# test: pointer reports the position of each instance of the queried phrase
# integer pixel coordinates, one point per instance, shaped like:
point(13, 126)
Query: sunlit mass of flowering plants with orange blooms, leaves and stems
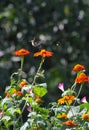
point(23, 97)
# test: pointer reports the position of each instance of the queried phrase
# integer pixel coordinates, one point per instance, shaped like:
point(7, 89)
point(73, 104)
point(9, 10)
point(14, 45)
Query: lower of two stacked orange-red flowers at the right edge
point(82, 78)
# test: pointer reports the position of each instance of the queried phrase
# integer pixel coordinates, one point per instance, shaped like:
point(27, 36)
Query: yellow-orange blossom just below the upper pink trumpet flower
point(67, 98)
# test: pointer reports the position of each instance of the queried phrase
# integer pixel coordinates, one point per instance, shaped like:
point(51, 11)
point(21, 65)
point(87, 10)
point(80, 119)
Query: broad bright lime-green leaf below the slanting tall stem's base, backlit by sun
point(40, 91)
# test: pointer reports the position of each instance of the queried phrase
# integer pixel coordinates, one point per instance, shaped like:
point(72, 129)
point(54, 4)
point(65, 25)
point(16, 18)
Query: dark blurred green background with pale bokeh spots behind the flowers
point(63, 27)
